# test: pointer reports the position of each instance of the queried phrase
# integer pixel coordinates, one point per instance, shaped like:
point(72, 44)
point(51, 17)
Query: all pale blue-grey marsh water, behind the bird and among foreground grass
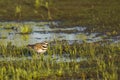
point(47, 31)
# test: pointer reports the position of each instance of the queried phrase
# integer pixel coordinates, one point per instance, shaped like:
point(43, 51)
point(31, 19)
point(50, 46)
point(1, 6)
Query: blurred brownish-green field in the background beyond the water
point(98, 16)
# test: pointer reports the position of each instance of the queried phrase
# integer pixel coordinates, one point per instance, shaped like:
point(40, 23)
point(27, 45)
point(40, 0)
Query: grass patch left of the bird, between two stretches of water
point(10, 50)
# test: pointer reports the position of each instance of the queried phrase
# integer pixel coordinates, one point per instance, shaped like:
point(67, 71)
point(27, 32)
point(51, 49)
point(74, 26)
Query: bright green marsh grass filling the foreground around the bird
point(102, 62)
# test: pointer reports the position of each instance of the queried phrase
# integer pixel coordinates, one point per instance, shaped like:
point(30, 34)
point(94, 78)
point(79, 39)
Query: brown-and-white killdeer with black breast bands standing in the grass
point(39, 47)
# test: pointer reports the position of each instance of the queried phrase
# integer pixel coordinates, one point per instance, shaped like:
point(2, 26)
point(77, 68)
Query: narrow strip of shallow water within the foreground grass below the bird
point(52, 58)
